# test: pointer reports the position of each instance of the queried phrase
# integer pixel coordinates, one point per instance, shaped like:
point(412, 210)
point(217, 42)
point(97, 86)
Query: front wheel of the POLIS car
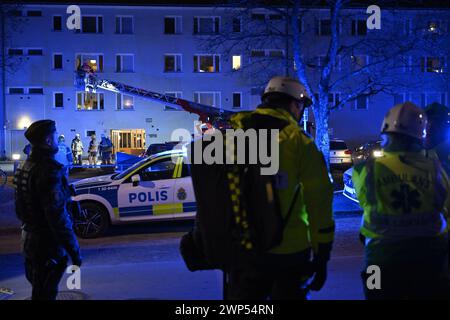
point(94, 221)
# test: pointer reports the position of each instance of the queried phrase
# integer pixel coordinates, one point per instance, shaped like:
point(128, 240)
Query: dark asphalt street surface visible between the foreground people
point(142, 261)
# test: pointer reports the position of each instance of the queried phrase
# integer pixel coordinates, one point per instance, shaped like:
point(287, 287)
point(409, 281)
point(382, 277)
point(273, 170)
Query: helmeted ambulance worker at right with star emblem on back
point(405, 197)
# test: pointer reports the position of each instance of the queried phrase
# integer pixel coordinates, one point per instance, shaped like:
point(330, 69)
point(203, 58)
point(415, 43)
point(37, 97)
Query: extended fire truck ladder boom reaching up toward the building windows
point(88, 81)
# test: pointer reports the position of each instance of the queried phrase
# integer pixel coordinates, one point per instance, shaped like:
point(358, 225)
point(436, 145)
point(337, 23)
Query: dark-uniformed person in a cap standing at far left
point(42, 199)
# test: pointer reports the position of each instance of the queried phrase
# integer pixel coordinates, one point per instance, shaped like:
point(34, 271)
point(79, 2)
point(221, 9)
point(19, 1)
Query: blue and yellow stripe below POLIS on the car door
point(158, 209)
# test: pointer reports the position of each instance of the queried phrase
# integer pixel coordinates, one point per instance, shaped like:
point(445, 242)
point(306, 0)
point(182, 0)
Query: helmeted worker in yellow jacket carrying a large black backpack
point(285, 270)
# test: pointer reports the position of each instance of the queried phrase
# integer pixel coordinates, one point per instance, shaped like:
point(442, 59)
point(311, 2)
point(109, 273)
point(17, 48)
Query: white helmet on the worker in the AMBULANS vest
point(407, 119)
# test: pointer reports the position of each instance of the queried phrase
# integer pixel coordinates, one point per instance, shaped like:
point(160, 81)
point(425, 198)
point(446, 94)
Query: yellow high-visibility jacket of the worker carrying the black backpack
point(311, 222)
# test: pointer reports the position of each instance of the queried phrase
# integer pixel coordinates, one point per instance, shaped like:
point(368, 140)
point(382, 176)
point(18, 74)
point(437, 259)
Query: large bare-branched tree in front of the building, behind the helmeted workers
point(368, 62)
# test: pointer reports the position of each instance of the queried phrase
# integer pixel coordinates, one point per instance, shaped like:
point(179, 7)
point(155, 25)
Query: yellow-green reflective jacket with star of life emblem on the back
point(404, 195)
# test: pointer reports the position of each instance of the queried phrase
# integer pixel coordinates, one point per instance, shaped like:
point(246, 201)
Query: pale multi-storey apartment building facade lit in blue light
point(155, 48)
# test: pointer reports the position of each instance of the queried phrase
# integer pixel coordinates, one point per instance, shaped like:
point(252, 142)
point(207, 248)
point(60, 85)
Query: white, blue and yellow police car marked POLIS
point(156, 188)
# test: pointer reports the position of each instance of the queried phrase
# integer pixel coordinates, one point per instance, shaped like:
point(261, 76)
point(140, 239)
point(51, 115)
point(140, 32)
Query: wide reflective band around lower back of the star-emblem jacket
point(406, 225)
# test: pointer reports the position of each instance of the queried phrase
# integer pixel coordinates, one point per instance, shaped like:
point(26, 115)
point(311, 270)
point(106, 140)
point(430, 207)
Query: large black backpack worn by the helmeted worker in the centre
point(238, 214)
